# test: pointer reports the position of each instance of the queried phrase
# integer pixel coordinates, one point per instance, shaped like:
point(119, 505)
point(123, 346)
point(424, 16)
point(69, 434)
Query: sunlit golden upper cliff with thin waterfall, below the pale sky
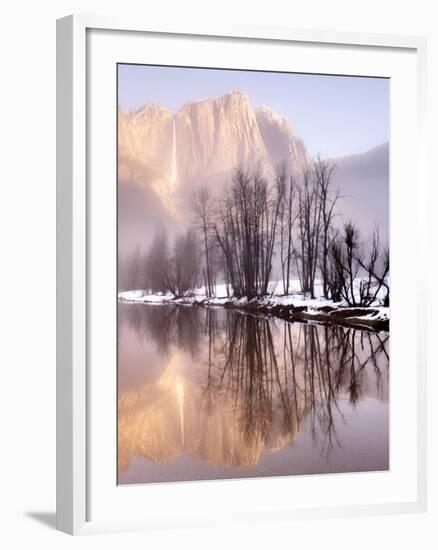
point(202, 144)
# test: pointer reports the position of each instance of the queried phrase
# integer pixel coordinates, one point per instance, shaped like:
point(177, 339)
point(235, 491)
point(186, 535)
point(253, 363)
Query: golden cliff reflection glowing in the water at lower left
point(166, 419)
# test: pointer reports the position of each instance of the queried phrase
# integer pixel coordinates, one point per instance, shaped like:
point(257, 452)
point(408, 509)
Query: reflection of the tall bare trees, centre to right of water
point(278, 375)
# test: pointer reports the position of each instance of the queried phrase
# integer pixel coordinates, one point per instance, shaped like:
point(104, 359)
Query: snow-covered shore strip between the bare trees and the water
point(294, 307)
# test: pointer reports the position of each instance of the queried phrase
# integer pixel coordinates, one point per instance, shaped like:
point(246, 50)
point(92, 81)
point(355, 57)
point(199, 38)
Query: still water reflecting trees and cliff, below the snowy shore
point(209, 393)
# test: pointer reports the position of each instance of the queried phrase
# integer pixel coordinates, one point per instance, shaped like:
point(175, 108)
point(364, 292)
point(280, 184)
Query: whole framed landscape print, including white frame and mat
point(238, 332)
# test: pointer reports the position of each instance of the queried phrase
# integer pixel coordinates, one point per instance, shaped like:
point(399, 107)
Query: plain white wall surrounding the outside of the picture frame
point(27, 269)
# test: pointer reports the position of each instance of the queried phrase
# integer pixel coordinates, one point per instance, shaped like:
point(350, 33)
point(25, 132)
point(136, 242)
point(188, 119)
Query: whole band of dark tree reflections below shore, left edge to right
point(267, 377)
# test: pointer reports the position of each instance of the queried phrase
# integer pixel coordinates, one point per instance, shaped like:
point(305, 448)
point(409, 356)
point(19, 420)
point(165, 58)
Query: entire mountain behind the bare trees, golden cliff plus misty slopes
point(164, 156)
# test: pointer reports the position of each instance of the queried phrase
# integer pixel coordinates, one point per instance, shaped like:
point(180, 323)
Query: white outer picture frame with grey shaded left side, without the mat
point(74, 220)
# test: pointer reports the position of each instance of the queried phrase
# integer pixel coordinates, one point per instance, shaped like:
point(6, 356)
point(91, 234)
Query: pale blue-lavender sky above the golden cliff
point(333, 115)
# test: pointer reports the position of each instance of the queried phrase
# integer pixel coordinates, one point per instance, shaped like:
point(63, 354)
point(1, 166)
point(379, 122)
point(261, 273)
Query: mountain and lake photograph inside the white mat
point(253, 277)
